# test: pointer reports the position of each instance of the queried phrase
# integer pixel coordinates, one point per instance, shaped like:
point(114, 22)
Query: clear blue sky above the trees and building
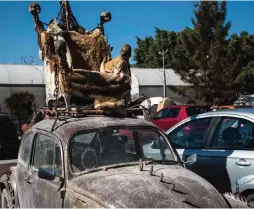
point(129, 20)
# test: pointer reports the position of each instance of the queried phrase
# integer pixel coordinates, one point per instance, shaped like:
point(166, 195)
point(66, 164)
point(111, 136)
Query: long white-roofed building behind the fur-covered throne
point(31, 78)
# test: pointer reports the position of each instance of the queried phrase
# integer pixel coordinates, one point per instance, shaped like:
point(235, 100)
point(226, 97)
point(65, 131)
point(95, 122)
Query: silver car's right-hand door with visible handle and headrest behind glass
point(229, 154)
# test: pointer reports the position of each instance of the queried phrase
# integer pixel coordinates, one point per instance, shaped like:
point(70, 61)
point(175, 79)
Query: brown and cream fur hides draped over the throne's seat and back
point(89, 71)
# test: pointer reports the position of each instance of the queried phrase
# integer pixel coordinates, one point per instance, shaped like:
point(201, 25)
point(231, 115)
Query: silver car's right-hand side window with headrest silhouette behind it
point(233, 133)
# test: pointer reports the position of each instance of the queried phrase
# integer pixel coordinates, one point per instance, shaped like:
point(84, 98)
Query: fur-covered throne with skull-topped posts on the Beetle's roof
point(78, 62)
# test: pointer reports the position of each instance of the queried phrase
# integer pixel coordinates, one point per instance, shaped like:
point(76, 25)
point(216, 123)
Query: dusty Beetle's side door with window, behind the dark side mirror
point(47, 153)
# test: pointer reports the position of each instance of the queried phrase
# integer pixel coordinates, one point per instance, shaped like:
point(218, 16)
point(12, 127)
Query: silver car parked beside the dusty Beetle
point(224, 148)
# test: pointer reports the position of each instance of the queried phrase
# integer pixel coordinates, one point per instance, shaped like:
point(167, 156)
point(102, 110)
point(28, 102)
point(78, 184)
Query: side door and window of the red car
point(166, 118)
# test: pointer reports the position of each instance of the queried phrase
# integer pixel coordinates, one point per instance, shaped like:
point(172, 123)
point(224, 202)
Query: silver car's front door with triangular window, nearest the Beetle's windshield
point(189, 138)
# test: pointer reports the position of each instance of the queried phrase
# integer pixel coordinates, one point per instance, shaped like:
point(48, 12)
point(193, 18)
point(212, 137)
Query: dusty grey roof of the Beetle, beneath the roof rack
point(70, 126)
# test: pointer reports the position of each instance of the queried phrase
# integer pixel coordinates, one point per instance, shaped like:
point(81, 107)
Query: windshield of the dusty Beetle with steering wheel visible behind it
point(113, 146)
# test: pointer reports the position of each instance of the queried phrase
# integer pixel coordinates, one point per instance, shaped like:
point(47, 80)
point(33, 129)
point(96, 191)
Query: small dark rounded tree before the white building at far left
point(20, 105)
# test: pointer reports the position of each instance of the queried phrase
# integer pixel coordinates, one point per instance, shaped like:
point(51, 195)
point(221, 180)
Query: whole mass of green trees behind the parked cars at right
point(219, 67)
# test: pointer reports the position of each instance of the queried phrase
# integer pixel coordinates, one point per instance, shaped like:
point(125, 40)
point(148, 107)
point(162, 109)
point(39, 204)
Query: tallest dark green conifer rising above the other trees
point(200, 57)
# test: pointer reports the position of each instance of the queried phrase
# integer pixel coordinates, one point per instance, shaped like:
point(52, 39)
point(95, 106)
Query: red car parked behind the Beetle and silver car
point(171, 115)
